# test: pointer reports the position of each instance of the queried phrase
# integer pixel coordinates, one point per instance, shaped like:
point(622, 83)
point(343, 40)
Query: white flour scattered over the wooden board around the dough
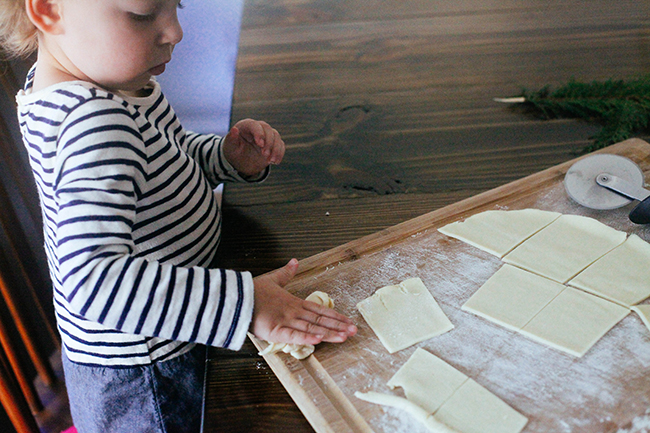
point(601, 392)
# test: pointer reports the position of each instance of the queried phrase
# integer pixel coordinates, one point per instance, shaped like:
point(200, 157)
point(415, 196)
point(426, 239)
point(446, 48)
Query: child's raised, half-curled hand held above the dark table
point(251, 146)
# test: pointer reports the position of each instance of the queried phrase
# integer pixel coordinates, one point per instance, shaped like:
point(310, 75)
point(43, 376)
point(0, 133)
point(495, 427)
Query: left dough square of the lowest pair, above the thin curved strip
point(427, 380)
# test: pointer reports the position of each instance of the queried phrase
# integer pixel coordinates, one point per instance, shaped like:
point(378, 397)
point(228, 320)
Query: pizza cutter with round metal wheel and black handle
point(606, 181)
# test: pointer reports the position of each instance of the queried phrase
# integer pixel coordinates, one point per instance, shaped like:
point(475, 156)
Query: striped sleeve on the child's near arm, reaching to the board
point(100, 170)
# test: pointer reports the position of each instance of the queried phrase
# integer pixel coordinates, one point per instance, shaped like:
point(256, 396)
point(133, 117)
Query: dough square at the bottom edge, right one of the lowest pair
point(474, 409)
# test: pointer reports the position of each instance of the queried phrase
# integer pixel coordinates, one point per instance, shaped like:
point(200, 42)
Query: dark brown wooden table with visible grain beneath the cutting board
point(387, 111)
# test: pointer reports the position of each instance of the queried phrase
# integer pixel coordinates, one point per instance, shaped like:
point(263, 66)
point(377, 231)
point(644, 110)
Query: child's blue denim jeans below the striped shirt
point(164, 397)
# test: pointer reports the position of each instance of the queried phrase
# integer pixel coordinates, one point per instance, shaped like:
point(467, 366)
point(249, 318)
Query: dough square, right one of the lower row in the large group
point(574, 321)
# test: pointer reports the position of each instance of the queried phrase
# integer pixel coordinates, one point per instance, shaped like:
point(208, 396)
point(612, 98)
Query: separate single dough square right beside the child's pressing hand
point(404, 314)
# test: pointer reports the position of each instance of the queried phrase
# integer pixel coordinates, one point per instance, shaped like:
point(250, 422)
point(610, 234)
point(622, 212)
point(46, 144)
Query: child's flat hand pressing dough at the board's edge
point(280, 317)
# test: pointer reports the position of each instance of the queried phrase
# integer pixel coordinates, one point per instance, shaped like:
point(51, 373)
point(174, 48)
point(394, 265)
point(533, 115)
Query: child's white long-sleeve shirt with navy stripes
point(130, 221)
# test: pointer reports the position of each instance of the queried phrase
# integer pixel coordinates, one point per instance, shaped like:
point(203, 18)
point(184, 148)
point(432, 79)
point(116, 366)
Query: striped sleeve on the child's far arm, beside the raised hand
point(207, 150)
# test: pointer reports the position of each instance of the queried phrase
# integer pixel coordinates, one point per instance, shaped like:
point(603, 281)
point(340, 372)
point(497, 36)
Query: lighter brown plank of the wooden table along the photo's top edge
point(434, 45)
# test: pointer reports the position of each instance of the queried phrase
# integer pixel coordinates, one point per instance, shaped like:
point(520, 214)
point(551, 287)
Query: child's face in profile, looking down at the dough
point(118, 44)
